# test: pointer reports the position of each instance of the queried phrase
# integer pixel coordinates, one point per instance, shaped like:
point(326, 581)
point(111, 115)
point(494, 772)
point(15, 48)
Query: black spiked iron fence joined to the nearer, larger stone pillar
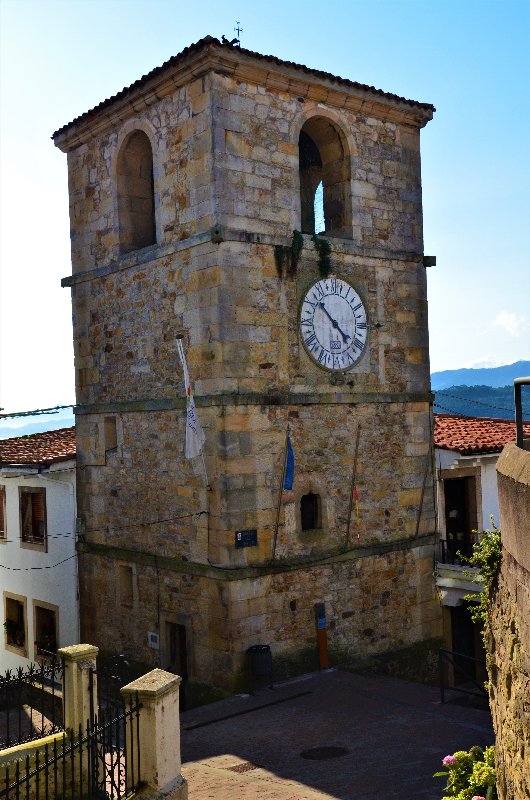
point(101, 762)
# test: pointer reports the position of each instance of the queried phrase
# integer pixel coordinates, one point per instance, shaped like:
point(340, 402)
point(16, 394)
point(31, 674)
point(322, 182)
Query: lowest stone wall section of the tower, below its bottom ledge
point(375, 602)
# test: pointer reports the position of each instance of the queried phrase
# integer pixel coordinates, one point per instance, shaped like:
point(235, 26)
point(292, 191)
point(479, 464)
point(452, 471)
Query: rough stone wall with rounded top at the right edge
point(508, 642)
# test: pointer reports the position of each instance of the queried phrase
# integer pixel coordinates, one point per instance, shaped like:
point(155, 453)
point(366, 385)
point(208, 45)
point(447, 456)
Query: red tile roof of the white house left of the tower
point(39, 449)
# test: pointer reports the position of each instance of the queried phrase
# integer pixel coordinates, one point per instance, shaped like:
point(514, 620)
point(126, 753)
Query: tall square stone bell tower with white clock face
point(195, 197)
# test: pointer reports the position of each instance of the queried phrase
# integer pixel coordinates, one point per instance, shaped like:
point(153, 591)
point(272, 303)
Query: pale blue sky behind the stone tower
point(470, 59)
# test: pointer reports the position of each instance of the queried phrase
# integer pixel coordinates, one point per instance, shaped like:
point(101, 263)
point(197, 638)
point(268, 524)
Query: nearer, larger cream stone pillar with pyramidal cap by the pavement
point(159, 733)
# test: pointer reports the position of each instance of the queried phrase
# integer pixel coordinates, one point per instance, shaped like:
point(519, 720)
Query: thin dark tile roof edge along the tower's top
point(212, 42)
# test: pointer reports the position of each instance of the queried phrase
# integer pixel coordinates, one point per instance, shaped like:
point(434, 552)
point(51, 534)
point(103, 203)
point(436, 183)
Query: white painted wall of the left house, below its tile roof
point(40, 576)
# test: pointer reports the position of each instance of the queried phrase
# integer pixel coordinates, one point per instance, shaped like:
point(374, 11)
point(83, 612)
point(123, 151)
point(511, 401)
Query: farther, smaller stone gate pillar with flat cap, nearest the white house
point(79, 659)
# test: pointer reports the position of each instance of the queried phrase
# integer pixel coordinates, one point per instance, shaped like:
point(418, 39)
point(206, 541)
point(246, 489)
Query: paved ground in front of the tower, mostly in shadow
point(395, 734)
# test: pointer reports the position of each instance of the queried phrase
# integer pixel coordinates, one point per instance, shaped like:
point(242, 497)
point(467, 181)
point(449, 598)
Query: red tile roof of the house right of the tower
point(474, 435)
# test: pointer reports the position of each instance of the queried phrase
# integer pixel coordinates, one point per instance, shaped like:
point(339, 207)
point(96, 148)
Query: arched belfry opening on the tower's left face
point(136, 202)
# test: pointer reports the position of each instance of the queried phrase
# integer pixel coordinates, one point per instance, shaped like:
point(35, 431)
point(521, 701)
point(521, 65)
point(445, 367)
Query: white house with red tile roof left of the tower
point(38, 563)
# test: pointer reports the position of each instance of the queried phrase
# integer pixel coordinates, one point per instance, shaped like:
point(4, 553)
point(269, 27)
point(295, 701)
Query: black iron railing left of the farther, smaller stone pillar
point(31, 702)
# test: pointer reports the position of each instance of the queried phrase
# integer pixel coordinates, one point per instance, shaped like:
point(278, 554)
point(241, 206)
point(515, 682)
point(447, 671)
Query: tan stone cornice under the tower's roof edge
point(309, 85)
